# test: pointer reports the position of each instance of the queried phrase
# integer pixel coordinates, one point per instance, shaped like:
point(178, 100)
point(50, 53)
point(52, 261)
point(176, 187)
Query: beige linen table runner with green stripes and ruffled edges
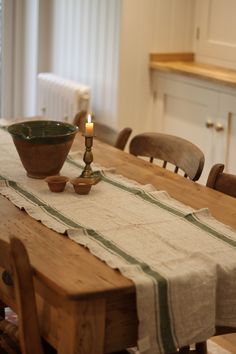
point(182, 261)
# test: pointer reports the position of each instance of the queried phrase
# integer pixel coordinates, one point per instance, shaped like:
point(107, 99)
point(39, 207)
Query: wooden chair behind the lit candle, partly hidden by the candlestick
point(105, 133)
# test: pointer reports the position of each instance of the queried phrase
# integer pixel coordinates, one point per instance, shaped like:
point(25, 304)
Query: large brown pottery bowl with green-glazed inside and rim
point(42, 145)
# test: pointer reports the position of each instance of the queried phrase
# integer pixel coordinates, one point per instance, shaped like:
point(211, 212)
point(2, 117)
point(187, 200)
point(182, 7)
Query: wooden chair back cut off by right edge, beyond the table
point(223, 182)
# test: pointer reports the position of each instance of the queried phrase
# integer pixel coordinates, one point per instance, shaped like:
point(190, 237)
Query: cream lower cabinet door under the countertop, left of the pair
point(191, 112)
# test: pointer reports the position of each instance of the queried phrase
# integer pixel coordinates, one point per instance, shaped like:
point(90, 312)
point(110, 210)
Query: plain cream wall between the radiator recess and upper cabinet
point(148, 26)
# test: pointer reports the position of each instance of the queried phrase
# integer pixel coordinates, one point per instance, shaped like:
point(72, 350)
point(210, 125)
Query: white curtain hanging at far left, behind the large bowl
point(21, 41)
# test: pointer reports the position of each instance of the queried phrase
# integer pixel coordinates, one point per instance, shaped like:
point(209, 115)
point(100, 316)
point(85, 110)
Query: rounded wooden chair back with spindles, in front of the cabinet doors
point(170, 149)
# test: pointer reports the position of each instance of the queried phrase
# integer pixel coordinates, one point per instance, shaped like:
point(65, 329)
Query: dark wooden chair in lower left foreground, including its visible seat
point(17, 273)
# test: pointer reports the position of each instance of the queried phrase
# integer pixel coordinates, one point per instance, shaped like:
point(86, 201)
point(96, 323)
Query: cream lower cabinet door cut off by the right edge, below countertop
point(228, 114)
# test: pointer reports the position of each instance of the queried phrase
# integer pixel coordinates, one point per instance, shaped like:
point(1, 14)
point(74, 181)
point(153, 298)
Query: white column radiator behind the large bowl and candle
point(60, 99)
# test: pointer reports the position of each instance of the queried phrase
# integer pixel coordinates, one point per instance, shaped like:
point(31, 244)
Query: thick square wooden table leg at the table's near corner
point(82, 327)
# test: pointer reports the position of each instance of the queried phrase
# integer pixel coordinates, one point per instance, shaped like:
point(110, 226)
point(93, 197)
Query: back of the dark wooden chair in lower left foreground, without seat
point(17, 272)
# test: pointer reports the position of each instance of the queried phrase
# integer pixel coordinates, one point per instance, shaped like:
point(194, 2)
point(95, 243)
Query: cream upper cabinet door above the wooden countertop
point(217, 32)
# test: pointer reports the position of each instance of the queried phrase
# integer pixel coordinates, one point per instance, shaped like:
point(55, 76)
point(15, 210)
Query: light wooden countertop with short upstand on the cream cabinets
point(184, 64)
